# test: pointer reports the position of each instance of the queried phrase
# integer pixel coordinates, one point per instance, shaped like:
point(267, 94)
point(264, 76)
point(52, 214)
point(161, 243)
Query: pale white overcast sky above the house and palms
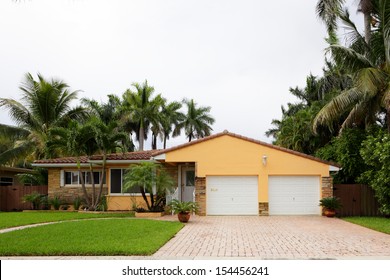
point(238, 56)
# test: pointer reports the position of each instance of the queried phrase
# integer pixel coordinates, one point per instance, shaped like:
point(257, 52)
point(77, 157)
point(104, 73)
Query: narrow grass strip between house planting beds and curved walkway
point(14, 219)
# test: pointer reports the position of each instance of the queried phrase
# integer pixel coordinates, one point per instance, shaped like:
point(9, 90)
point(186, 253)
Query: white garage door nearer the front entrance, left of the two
point(232, 195)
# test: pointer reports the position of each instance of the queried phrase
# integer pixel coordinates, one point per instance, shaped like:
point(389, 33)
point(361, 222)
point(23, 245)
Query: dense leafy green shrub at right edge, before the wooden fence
point(376, 153)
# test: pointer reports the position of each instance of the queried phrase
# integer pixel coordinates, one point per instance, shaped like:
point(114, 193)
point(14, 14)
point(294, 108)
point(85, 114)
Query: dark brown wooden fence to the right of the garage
point(357, 200)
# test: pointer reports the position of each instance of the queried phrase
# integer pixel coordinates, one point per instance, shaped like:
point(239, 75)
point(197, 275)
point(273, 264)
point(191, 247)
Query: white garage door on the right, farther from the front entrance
point(294, 195)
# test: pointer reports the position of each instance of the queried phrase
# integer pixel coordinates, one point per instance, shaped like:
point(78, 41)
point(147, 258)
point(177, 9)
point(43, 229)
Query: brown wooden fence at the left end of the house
point(11, 197)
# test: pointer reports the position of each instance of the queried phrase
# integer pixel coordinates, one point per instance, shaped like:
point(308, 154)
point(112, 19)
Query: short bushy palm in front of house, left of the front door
point(152, 178)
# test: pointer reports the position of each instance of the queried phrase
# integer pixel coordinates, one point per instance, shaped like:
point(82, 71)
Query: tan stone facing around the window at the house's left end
point(68, 194)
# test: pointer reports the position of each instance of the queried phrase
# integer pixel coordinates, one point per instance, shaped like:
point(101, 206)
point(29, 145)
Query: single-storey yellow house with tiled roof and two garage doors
point(226, 174)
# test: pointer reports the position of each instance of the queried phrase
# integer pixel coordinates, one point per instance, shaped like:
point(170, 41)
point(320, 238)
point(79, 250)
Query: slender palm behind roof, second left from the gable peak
point(171, 118)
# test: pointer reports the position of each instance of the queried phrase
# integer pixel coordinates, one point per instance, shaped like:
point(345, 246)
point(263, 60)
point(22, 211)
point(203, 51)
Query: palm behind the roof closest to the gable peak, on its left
point(198, 121)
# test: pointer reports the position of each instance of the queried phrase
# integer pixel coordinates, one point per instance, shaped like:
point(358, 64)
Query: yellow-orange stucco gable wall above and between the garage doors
point(228, 155)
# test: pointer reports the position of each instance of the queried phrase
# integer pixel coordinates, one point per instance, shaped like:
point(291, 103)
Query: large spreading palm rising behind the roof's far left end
point(44, 104)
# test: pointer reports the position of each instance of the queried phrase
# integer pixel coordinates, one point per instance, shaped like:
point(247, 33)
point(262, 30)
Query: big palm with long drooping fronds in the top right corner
point(368, 99)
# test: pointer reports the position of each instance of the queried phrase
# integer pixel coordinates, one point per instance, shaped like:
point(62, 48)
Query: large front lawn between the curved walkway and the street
point(103, 237)
